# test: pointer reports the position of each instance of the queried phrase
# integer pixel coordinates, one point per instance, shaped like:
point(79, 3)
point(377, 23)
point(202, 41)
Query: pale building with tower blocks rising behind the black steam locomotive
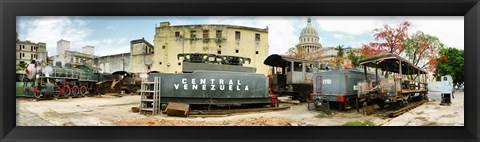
point(64, 55)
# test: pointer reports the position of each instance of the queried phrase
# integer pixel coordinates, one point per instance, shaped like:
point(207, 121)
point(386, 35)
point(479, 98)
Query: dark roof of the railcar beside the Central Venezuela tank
point(276, 60)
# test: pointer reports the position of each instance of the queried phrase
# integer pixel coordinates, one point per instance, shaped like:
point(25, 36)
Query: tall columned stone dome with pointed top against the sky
point(309, 40)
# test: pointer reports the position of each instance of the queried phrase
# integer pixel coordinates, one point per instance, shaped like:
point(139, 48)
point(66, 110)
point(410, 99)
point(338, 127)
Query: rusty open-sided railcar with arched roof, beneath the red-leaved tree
point(406, 82)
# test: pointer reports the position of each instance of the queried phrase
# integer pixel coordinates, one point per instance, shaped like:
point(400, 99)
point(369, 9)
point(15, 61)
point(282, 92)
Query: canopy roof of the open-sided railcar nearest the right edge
point(389, 62)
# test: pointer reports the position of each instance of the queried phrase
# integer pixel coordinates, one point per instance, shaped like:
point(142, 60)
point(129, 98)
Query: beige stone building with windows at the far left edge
point(27, 51)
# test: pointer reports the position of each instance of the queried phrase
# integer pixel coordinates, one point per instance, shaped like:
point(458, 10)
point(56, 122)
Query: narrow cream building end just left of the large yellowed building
point(141, 54)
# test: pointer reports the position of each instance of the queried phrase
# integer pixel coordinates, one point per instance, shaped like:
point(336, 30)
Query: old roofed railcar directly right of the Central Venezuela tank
point(292, 76)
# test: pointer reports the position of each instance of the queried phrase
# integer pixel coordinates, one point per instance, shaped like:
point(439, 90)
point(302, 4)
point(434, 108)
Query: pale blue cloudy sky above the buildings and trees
point(112, 34)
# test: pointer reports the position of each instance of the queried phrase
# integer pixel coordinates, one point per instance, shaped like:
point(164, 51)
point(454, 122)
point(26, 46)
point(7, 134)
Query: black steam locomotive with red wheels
point(55, 81)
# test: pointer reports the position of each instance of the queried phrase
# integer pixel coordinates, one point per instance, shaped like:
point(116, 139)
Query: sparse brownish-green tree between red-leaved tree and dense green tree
point(423, 49)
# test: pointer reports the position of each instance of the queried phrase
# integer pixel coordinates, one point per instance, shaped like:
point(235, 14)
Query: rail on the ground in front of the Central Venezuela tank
point(224, 112)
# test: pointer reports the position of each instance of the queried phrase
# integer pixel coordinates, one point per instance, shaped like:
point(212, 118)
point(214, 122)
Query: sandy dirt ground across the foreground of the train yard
point(116, 111)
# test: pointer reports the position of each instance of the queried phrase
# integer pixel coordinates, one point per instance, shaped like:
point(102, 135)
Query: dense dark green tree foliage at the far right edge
point(453, 65)
